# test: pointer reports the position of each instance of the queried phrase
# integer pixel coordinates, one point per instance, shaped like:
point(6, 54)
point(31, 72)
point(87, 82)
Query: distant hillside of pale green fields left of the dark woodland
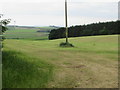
point(28, 32)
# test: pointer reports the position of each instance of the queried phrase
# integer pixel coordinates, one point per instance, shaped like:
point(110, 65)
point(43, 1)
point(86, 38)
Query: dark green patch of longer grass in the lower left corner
point(20, 71)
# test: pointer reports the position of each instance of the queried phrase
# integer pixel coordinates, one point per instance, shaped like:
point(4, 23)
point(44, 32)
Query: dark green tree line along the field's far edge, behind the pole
point(101, 28)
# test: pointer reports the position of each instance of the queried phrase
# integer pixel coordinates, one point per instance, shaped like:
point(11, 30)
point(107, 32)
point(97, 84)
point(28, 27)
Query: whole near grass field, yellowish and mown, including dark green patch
point(92, 63)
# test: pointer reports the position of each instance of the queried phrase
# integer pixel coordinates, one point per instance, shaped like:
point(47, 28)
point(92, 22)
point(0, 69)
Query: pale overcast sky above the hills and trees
point(51, 12)
